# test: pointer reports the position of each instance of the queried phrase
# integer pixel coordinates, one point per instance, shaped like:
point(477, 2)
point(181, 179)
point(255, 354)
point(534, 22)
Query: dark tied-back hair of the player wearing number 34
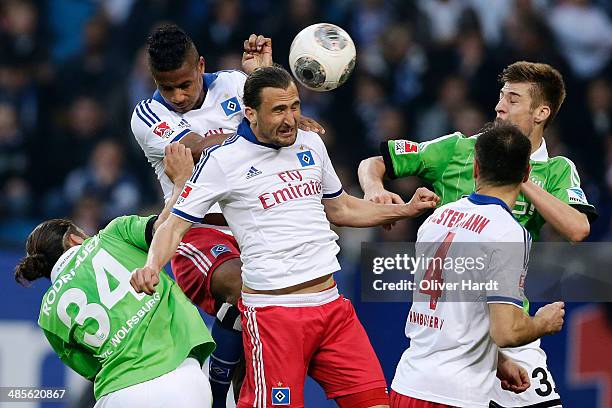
point(44, 247)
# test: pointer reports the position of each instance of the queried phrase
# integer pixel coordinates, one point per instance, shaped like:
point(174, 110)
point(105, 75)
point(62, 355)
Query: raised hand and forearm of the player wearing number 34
point(178, 165)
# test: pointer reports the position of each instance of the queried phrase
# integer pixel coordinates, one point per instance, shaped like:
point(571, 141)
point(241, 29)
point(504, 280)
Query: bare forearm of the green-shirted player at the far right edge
point(567, 221)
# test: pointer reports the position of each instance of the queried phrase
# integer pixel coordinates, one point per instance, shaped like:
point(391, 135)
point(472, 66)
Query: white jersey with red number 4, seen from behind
point(452, 359)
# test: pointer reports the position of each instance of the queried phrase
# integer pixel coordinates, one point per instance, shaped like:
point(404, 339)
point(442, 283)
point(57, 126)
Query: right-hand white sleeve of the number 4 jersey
point(508, 267)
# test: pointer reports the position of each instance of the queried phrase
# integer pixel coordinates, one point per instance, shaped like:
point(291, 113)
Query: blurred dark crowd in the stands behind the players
point(71, 71)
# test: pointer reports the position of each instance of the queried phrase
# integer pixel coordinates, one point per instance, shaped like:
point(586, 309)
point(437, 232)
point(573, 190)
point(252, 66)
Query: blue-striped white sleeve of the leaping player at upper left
point(154, 127)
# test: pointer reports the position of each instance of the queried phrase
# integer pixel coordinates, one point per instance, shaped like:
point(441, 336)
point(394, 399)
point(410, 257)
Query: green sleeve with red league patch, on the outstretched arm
point(426, 160)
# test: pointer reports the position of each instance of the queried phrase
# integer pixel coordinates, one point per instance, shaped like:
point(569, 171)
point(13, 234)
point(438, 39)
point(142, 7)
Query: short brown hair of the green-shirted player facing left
point(547, 84)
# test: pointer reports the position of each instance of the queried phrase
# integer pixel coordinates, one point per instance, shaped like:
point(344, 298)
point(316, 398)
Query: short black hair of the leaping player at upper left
point(168, 47)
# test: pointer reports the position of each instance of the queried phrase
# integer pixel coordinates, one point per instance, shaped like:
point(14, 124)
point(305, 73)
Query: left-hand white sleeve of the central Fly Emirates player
point(207, 185)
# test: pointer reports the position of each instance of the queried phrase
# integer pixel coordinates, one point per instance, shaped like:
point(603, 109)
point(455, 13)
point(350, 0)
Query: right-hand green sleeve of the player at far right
point(564, 183)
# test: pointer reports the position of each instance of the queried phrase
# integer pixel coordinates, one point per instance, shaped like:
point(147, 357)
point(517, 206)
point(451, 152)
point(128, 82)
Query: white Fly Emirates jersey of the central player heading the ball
point(271, 199)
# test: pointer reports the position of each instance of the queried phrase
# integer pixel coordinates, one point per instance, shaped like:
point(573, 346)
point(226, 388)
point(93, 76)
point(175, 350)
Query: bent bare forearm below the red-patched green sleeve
point(371, 172)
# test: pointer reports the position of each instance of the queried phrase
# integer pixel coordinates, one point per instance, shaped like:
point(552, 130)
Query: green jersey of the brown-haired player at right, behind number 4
point(447, 163)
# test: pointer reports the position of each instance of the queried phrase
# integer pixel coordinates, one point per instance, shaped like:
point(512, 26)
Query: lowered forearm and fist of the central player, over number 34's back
point(164, 244)
